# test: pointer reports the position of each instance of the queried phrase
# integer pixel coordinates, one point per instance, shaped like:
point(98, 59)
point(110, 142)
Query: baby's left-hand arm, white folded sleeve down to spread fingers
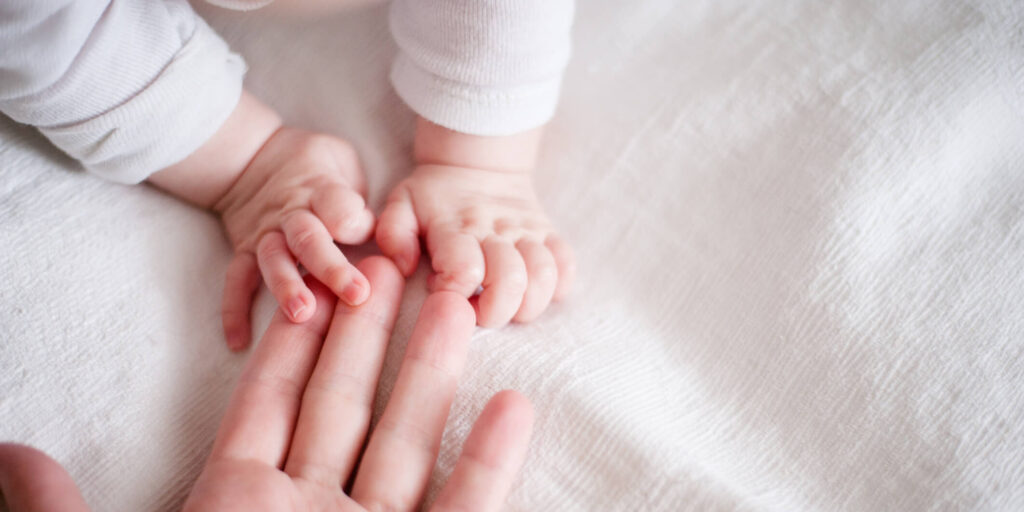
point(166, 104)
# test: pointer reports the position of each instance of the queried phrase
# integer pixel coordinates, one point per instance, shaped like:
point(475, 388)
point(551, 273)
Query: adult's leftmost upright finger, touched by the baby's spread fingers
point(262, 415)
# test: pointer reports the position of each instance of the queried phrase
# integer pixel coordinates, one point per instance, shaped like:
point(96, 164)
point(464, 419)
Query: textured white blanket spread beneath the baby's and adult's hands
point(800, 231)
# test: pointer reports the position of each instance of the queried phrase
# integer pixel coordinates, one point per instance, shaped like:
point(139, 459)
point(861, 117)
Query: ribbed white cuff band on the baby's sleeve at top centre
point(478, 111)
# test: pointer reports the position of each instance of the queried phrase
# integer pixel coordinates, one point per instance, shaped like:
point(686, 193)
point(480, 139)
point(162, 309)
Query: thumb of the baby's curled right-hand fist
point(399, 232)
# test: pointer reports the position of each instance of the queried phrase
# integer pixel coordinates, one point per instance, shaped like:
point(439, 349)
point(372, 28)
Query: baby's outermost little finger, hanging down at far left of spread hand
point(241, 283)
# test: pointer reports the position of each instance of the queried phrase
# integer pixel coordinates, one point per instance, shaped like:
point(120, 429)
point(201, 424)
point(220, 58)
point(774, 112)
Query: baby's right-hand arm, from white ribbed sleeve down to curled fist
point(485, 78)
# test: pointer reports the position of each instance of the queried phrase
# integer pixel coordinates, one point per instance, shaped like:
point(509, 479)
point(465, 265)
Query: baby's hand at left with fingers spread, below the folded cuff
point(303, 193)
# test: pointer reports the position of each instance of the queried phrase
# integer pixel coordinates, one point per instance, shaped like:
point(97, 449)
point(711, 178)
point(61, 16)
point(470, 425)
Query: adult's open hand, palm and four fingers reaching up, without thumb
point(296, 424)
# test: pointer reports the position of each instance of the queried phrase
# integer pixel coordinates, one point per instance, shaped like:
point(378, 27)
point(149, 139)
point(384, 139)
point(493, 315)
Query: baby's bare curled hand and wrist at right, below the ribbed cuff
point(483, 224)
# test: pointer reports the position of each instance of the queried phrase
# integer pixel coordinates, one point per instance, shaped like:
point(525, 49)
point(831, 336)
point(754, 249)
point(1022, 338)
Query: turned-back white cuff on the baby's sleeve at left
point(167, 121)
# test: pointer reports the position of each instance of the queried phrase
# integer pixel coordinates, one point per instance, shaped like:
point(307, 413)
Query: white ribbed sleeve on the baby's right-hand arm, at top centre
point(482, 67)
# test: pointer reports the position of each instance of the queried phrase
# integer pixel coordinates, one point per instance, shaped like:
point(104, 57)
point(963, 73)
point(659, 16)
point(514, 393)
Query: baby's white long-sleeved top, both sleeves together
point(129, 88)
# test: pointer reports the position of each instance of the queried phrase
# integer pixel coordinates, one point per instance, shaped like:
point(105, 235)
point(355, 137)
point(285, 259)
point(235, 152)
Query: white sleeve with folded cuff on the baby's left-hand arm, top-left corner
point(127, 88)
